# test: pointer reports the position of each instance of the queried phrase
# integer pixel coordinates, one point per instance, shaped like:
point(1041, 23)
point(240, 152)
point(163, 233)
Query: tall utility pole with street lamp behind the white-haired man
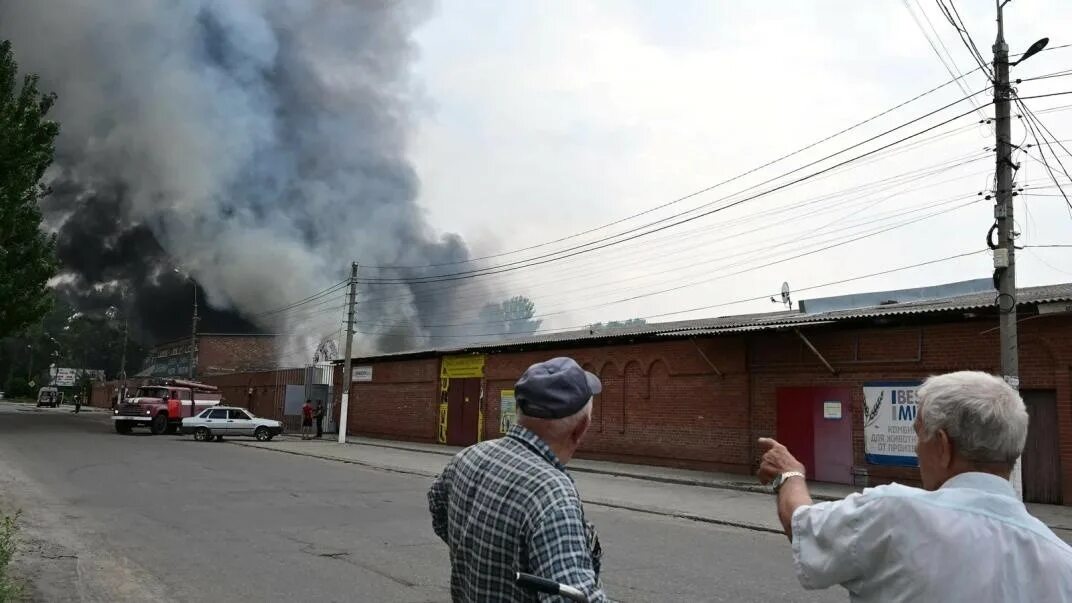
point(1005, 253)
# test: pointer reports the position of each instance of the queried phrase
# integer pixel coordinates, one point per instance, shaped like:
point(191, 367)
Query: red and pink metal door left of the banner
point(816, 425)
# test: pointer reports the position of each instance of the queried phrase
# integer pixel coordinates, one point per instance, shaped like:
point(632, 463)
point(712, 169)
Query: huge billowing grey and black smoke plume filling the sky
point(260, 145)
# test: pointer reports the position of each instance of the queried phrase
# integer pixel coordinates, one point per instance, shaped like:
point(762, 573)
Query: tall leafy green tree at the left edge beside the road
point(27, 146)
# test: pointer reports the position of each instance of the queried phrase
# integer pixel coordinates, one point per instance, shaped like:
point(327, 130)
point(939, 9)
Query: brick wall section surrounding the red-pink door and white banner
point(877, 355)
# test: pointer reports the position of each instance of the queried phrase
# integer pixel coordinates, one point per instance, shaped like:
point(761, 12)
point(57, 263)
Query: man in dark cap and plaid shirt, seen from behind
point(509, 506)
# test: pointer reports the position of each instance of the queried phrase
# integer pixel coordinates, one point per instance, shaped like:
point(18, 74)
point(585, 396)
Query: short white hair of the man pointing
point(982, 415)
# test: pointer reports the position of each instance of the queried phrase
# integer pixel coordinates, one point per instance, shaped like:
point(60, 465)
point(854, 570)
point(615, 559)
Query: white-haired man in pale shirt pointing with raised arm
point(964, 537)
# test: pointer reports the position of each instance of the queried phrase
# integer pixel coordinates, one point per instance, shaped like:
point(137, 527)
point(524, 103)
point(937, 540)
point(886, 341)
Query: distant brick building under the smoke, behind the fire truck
point(216, 354)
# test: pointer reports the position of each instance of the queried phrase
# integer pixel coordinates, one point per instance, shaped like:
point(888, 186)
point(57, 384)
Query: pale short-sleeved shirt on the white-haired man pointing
point(972, 540)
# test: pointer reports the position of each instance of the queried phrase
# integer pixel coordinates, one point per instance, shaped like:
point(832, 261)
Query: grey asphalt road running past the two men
point(143, 518)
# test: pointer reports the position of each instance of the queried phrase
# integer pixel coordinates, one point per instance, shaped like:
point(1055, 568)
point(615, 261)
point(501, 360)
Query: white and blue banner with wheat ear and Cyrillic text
point(889, 414)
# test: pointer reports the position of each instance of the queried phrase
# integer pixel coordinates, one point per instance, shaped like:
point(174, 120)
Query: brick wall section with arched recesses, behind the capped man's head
point(662, 402)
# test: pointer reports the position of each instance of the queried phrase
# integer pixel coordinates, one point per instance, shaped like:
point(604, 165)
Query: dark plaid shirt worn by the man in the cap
point(509, 506)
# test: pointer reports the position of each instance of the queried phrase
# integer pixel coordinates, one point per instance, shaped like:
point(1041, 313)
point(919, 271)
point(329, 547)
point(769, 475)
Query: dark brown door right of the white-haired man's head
point(1041, 464)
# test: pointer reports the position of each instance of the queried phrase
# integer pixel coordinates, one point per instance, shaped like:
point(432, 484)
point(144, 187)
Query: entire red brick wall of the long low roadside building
point(664, 404)
